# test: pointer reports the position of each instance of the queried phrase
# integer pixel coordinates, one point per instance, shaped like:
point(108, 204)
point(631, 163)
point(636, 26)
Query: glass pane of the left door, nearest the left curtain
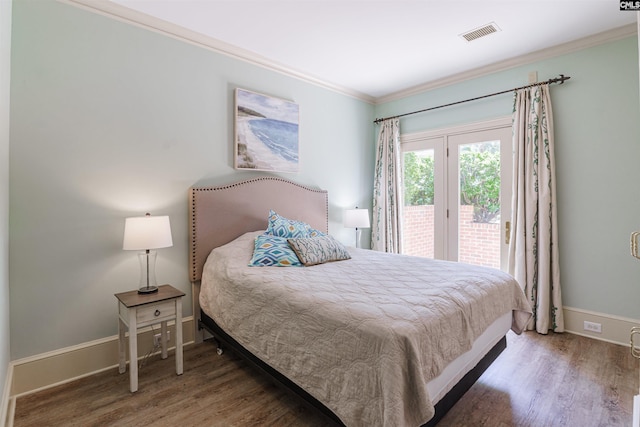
point(418, 216)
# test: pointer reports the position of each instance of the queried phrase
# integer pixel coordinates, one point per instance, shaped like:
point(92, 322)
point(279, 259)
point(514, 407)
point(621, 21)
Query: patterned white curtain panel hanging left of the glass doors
point(387, 190)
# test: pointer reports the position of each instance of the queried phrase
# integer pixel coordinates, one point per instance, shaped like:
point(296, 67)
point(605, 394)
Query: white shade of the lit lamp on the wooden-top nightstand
point(147, 232)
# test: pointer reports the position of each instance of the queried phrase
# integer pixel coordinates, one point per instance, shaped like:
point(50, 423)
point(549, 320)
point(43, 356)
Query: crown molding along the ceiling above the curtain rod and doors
point(561, 49)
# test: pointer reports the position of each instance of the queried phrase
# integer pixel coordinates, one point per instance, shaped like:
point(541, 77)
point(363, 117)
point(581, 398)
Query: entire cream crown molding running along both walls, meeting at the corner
point(130, 16)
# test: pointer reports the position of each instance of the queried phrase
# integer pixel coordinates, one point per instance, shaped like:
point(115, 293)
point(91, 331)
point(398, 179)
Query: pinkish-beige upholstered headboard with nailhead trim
point(217, 215)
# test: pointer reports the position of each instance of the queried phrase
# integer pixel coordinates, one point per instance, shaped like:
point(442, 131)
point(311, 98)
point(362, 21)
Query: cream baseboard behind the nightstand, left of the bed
point(46, 370)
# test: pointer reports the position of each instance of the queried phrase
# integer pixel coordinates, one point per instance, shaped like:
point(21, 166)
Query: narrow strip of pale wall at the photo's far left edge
point(5, 68)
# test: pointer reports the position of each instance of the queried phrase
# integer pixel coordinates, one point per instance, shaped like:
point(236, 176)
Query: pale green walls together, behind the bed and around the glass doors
point(109, 120)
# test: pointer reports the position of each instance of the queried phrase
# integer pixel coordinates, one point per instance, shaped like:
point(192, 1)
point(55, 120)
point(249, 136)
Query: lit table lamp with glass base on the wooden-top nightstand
point(144, 233)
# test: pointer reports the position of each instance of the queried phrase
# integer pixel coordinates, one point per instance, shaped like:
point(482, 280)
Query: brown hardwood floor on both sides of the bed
point(553, 380)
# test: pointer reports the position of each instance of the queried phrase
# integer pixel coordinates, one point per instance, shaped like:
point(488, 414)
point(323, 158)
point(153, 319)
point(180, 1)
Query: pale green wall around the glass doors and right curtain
point(597, 152)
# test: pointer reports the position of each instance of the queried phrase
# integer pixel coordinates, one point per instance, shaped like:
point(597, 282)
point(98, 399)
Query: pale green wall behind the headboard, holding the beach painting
point(110, 120)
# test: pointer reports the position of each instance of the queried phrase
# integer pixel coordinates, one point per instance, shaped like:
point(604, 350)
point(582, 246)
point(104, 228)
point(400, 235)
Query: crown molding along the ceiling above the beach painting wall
point(139, 19)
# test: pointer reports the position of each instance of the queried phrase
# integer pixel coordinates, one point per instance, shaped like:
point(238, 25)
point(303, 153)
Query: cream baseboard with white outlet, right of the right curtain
point(615, 329)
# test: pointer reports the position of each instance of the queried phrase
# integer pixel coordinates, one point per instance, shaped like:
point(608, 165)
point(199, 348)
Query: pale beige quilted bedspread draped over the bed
point(362, 336)
